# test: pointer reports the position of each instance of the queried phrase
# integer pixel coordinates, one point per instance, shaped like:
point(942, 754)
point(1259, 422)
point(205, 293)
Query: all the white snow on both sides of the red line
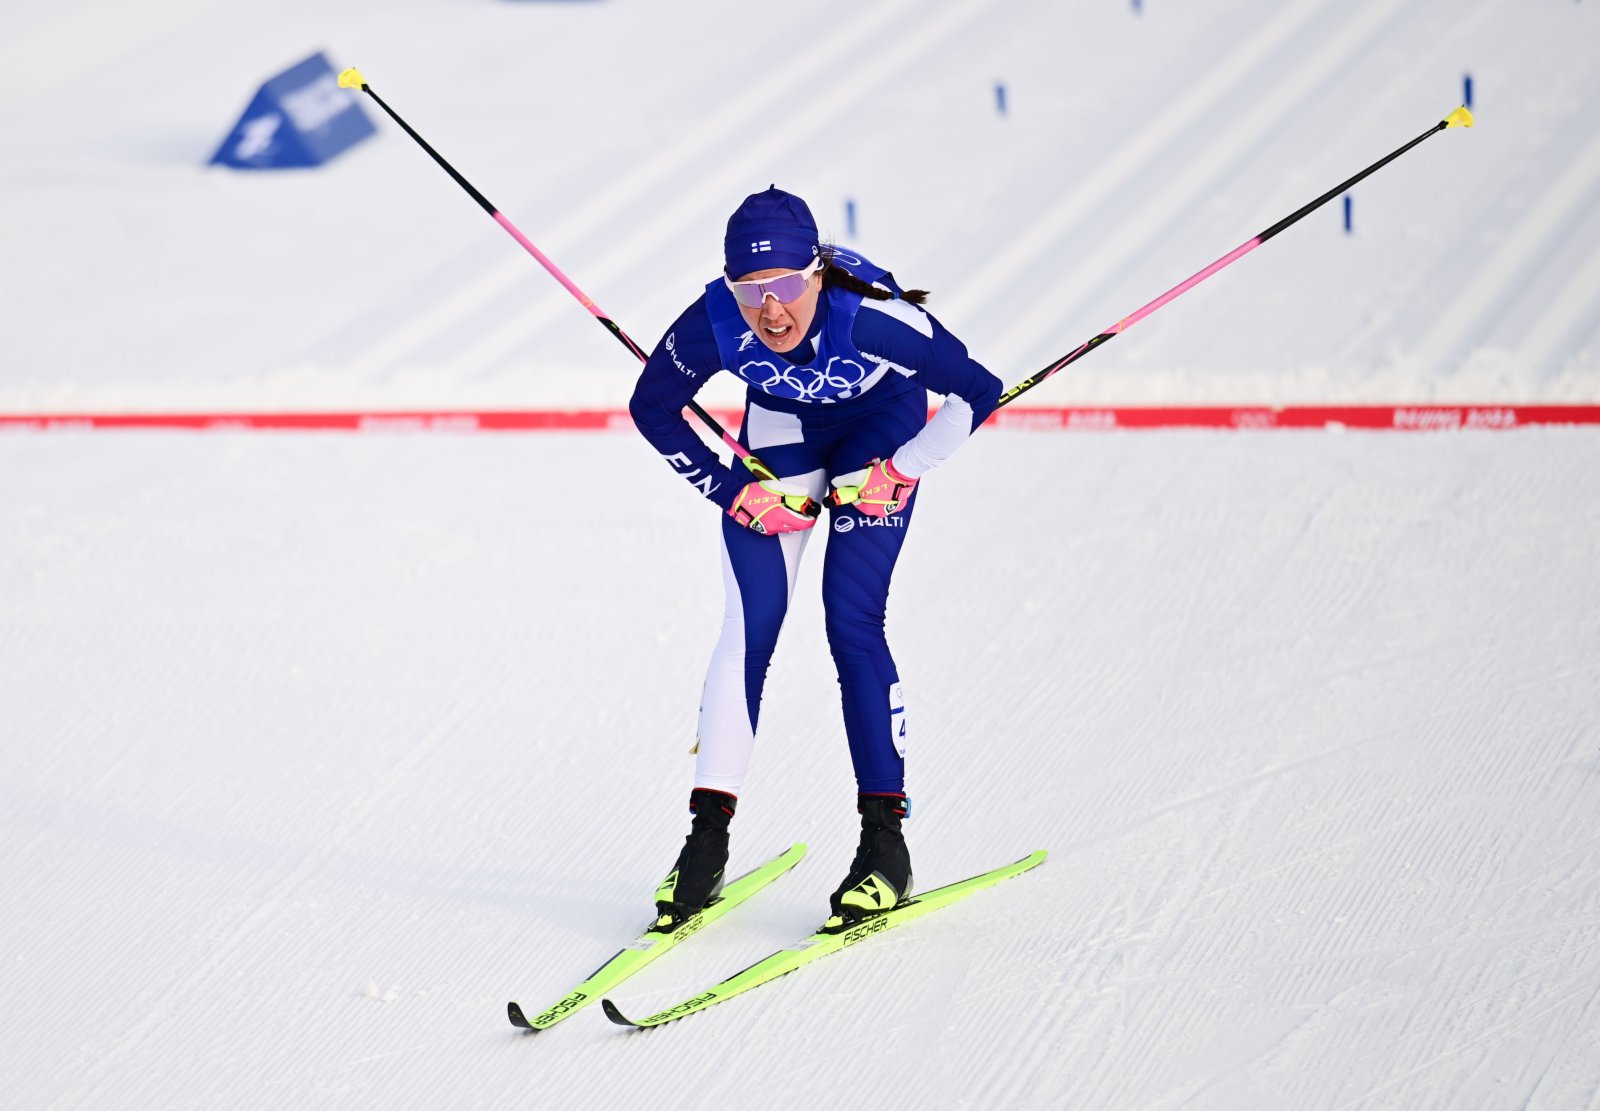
point(319, 748)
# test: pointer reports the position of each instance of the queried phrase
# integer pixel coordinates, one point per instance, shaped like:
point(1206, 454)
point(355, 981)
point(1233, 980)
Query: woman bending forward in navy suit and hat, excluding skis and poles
point(839, 363)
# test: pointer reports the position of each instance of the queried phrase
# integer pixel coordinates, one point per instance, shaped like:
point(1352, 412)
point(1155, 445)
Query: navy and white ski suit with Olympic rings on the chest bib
point(854, 391)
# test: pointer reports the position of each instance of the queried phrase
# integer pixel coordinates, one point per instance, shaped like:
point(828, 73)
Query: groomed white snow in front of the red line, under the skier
point(322, 748)
